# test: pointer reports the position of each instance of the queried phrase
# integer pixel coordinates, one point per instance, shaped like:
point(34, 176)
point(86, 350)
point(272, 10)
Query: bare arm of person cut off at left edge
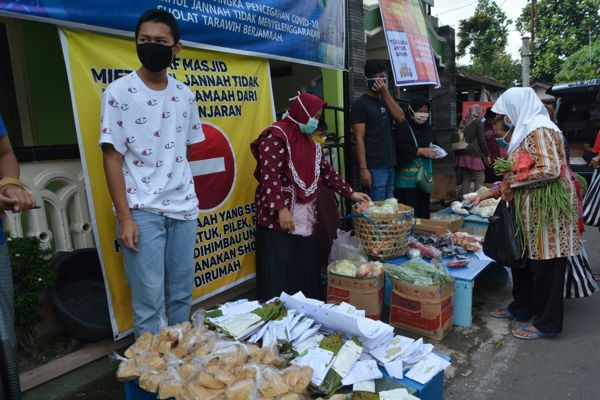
point(12, 197)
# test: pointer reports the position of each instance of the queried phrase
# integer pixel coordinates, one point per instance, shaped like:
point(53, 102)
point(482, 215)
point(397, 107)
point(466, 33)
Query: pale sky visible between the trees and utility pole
point(450, 12)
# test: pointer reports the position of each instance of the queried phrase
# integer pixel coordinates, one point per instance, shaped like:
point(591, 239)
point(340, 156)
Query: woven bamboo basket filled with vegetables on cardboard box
point(384, 236)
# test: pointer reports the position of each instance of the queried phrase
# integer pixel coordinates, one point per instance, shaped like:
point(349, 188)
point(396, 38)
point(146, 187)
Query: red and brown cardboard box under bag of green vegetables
point(426, 310)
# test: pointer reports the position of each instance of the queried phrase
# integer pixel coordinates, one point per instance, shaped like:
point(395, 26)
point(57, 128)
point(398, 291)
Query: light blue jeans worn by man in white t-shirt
point(161, 274)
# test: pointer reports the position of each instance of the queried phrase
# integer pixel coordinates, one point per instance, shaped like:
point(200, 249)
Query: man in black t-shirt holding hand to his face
point(372, 116)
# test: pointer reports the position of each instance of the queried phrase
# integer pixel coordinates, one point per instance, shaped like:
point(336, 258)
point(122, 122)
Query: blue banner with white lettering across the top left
point(308, 31)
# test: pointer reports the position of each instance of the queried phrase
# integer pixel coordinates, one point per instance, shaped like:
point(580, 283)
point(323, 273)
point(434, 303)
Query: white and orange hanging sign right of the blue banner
point(410, 52)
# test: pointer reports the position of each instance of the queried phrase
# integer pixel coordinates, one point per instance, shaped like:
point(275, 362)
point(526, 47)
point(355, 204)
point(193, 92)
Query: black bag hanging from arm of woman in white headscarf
point(502, 242)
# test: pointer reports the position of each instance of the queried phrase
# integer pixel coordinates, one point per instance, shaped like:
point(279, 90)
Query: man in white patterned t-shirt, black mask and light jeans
point(148, 121)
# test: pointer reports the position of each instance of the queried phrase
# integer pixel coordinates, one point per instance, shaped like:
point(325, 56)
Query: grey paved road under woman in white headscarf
point(499, 367)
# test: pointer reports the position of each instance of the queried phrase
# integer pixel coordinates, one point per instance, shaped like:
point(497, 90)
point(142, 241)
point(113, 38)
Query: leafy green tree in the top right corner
point(562, 27)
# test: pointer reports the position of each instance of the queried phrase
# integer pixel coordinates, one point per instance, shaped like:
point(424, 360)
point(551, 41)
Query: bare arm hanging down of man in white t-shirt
point(113, 162)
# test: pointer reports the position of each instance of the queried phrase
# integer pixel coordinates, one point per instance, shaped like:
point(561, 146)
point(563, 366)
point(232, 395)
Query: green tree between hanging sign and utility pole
point(485, 34)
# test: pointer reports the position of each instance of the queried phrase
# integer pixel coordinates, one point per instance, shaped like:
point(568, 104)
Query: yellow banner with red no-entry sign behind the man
point(235, 103)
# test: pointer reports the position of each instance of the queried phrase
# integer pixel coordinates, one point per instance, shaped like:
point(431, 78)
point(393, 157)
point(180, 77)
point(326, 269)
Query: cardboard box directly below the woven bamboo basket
point(363, 293)
